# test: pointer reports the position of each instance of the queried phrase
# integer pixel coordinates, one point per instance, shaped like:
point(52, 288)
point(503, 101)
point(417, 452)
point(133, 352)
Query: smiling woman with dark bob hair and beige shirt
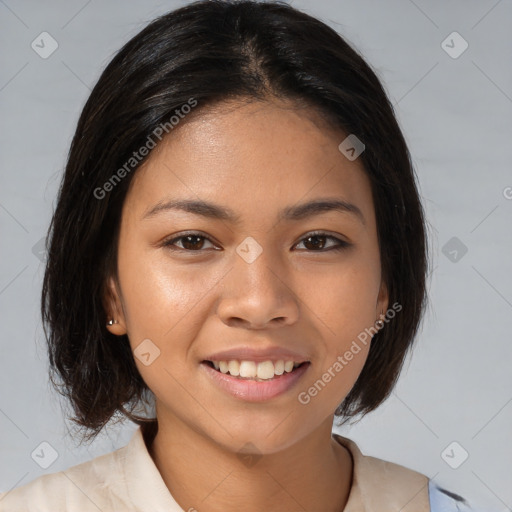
point(239, 237)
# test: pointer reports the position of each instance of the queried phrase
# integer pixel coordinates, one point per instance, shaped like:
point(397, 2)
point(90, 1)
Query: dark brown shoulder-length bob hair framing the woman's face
point(214, 51)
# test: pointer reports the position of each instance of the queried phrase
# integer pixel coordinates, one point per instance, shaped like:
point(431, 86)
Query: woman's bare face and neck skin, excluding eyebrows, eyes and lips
point(255, 158)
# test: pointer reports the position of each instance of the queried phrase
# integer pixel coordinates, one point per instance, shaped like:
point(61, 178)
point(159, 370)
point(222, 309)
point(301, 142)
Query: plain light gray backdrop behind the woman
point(455, 113)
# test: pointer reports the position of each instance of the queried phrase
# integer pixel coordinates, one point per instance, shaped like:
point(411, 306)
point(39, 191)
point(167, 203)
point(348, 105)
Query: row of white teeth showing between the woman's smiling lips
point(255, 371)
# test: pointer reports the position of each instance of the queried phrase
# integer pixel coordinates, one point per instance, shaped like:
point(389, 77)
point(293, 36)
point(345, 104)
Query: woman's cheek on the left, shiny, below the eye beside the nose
point(167, 304)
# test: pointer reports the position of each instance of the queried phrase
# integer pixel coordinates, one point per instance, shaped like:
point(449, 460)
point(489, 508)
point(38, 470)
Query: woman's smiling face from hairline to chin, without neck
point(266, 275)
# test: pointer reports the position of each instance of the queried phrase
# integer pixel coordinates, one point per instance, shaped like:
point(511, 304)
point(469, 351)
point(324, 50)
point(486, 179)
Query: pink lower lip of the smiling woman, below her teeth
point(252, 390)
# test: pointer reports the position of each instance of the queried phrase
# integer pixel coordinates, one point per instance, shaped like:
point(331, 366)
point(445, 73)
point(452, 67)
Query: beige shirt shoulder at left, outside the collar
point(90, 486)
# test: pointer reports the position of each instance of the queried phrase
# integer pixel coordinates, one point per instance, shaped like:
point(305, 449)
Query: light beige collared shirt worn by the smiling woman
point(128, 480)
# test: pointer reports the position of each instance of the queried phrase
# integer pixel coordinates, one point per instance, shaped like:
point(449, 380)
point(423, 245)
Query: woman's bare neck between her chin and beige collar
point(313, 474)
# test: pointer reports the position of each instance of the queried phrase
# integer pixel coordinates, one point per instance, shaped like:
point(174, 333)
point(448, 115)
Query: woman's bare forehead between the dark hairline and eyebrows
point(255, 157)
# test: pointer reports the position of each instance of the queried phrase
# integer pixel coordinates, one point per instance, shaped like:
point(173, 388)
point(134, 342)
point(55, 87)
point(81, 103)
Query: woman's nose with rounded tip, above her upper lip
point(258, 295)
